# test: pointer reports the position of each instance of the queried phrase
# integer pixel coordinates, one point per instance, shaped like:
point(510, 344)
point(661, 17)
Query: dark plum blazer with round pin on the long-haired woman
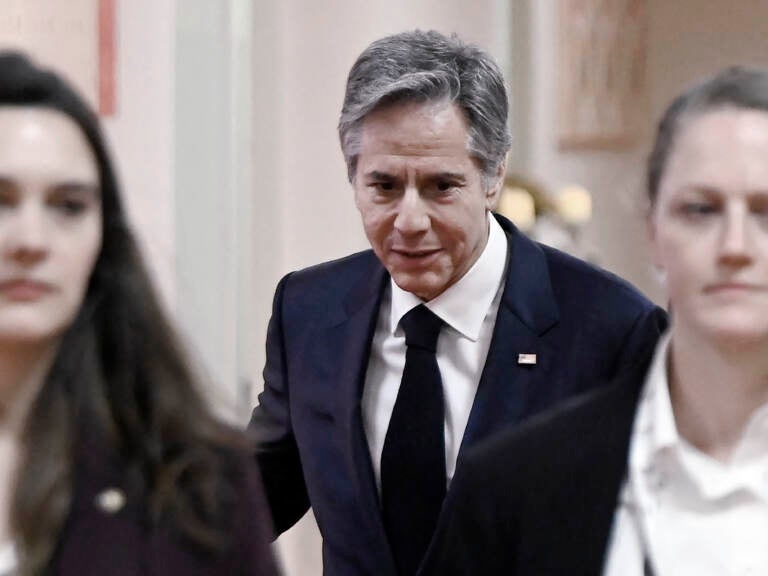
point(103, 537)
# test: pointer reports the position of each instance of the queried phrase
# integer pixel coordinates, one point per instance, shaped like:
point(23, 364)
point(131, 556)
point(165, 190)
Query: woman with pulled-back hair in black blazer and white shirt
point(666, 472)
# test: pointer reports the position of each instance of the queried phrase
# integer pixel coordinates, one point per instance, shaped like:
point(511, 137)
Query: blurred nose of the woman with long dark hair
point(25, 234)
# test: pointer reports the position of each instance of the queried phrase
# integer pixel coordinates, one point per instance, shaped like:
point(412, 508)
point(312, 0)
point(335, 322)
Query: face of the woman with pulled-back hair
point(709, 227)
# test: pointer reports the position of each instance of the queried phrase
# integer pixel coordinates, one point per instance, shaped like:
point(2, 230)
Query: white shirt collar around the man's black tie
point(464, 305)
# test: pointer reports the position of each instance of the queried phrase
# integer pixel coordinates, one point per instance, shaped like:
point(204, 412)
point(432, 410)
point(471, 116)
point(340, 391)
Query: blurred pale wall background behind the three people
point(224, 132)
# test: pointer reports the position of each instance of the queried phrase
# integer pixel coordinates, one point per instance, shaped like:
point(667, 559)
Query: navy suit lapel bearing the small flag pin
point(526, 311)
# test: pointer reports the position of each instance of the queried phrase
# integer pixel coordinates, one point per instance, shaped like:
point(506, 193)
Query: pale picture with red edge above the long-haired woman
point(76, 37)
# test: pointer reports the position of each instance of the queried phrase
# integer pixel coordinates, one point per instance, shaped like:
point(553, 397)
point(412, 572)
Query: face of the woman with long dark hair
point(50, 222)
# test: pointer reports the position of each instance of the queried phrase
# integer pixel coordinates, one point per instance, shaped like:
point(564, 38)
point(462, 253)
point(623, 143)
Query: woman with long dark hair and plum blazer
point(110, 460)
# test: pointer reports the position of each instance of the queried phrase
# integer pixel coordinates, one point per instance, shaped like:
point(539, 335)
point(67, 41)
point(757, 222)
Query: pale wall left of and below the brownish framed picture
point(614, 178)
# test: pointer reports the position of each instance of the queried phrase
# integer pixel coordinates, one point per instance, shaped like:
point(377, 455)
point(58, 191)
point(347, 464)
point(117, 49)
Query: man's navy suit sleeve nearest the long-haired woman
point(276, 451)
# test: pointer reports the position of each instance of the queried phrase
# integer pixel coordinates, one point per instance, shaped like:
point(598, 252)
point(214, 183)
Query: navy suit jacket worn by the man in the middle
point(584, 325)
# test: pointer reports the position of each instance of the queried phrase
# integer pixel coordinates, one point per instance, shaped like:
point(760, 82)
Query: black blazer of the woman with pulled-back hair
point(540, 500)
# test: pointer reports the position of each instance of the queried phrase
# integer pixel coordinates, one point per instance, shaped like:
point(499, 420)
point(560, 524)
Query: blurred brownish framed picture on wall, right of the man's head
point(602, 86)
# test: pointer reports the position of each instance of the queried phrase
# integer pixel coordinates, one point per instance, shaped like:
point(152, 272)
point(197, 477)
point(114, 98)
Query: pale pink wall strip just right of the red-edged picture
point(141, 131)
